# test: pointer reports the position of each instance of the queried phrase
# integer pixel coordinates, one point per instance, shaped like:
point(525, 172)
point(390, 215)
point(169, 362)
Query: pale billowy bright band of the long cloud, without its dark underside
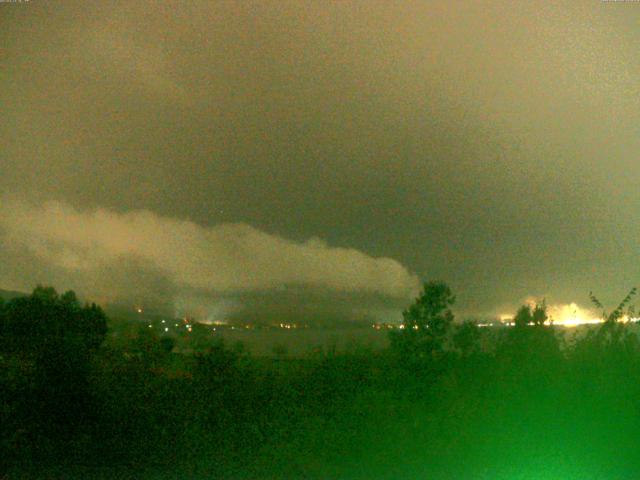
point(225, 259)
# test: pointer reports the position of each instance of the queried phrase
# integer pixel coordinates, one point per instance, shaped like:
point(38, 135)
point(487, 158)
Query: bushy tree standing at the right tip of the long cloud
point(427, 322)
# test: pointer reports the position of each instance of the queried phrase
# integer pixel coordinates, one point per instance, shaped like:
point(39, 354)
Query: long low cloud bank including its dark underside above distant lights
point(142, 256)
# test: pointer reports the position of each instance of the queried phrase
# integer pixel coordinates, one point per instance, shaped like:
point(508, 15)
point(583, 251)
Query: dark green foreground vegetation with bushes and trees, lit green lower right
point(444, 401)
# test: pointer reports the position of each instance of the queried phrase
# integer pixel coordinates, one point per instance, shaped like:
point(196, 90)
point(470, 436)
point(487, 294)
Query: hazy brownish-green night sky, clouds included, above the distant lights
point(288, 158)
